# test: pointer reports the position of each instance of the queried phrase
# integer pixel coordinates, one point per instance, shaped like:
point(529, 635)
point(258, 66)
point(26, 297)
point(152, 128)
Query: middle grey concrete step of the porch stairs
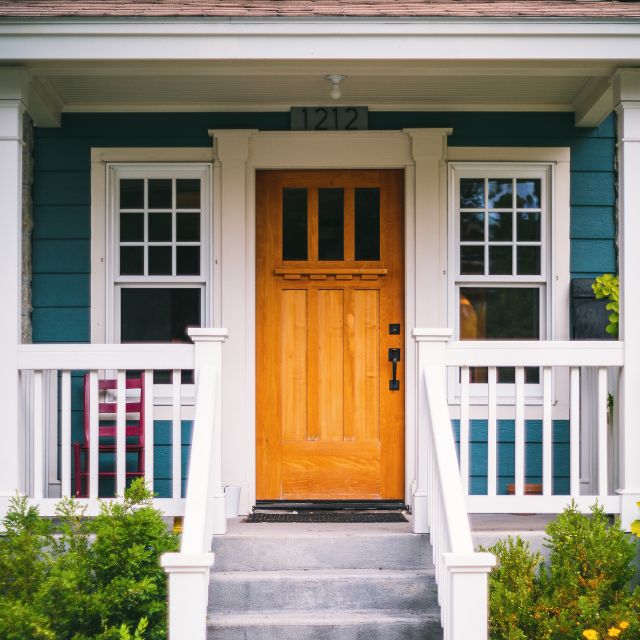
point(323, 590)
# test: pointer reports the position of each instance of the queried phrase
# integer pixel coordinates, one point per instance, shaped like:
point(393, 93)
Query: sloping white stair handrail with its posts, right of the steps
point(440, 509)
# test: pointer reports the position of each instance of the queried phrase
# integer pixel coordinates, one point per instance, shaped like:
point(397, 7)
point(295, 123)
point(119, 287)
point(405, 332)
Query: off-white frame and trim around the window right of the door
point(552, 167)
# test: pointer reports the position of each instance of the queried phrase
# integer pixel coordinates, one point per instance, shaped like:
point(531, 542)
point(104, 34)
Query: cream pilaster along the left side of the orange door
point(232, 194)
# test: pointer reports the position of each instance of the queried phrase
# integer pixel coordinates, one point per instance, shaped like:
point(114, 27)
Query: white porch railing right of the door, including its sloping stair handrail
point(540, 418)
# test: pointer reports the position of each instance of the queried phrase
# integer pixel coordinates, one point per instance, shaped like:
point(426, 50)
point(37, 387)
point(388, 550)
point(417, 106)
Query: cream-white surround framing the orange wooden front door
point(422, 154)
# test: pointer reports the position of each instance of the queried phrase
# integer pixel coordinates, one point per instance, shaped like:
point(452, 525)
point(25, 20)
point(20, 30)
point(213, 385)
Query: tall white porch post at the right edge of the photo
point(626, 85)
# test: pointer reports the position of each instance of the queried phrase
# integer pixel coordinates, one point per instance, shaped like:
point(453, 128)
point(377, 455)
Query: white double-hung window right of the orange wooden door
point(501, 254)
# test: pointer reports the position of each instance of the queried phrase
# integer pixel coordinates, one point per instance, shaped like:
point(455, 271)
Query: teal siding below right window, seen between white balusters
point(506, 454)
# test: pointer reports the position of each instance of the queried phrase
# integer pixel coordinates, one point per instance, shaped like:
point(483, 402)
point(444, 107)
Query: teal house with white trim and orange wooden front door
point(382, 205)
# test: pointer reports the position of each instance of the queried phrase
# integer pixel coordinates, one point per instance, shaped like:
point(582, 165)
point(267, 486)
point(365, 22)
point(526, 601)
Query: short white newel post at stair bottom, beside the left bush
point(188, 594)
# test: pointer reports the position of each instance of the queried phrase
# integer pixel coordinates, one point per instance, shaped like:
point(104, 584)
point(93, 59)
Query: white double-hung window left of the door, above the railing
point(159, 239)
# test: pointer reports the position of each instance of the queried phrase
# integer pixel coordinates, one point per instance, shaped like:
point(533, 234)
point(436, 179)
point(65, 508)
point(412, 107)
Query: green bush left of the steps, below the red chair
point(85, 579)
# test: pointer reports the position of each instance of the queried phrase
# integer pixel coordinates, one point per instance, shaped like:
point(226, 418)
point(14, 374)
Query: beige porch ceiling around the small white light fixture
point(401, 85)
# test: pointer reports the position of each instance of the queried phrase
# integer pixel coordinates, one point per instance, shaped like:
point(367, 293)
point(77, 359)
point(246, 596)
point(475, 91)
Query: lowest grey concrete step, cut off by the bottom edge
point(329, 625)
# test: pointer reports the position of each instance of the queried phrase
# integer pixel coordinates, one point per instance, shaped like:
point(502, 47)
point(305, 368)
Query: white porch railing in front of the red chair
point(51, 381)
